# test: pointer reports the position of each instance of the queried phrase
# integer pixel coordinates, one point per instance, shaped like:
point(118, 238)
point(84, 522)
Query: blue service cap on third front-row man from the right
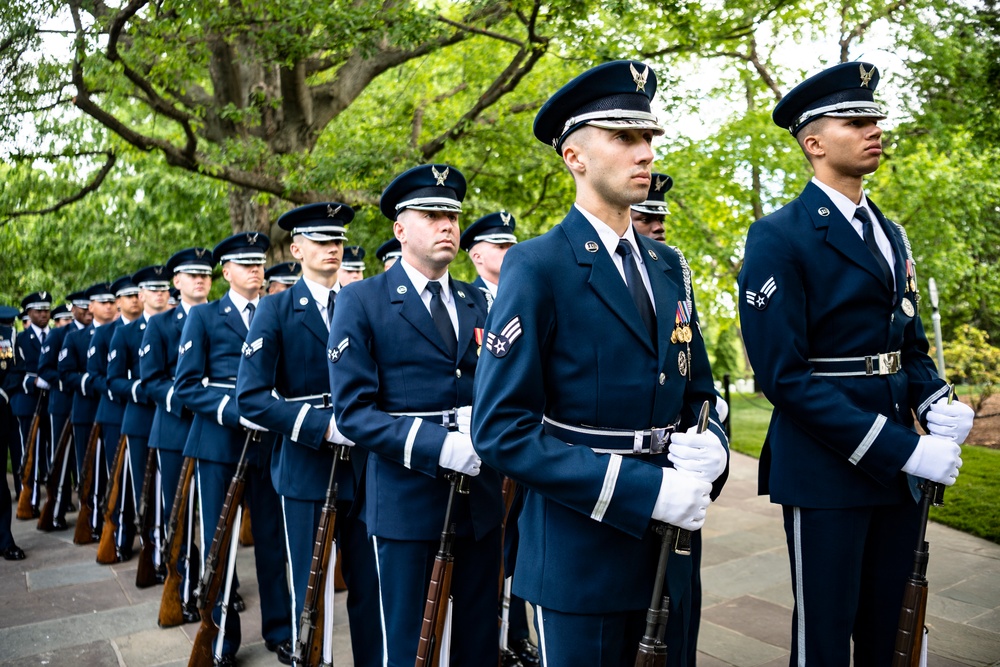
point(429, 187)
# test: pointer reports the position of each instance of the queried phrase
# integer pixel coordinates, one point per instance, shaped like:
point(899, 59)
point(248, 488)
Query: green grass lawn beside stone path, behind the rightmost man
point(970, 505)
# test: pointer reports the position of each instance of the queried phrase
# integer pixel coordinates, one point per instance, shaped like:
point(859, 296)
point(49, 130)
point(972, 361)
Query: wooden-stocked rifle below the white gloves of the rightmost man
point(912, 613)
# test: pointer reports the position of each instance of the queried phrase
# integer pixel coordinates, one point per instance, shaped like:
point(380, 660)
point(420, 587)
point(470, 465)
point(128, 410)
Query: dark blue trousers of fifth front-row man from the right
point(269, 541)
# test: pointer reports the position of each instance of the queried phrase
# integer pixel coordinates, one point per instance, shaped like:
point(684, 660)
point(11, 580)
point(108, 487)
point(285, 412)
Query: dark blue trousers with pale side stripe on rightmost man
point(849, 567)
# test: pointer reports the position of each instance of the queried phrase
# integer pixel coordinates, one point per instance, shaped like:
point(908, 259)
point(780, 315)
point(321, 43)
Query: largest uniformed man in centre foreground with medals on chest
point(593, 364)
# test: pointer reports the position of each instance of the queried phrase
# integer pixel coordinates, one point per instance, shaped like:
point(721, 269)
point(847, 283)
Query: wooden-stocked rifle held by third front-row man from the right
point(439, 589)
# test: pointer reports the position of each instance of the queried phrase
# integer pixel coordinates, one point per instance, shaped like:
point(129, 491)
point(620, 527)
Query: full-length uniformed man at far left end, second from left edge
point(26, 390)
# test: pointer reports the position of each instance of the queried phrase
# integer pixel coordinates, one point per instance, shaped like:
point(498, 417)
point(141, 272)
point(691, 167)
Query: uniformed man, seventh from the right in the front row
point(125, 383)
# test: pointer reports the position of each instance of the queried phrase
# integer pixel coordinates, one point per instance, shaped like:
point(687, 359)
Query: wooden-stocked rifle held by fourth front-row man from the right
point(309, 644)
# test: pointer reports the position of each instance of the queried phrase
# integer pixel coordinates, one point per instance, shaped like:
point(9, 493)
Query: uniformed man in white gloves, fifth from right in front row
point(210, 351)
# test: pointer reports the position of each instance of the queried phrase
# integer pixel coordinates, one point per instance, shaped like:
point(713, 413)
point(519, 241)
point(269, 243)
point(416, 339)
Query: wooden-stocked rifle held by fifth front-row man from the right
point(202, 653)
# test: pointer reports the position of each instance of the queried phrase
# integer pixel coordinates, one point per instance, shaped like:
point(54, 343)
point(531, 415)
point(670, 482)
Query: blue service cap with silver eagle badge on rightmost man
point(843, 91)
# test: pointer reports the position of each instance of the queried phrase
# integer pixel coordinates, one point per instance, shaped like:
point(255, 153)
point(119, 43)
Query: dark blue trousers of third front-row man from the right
point(404, 569)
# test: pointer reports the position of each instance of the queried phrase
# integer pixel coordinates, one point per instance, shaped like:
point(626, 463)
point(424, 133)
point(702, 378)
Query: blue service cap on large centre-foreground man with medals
point(612, 96)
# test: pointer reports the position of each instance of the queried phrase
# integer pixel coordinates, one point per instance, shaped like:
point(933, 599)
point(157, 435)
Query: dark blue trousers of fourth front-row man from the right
point(357, 564)
